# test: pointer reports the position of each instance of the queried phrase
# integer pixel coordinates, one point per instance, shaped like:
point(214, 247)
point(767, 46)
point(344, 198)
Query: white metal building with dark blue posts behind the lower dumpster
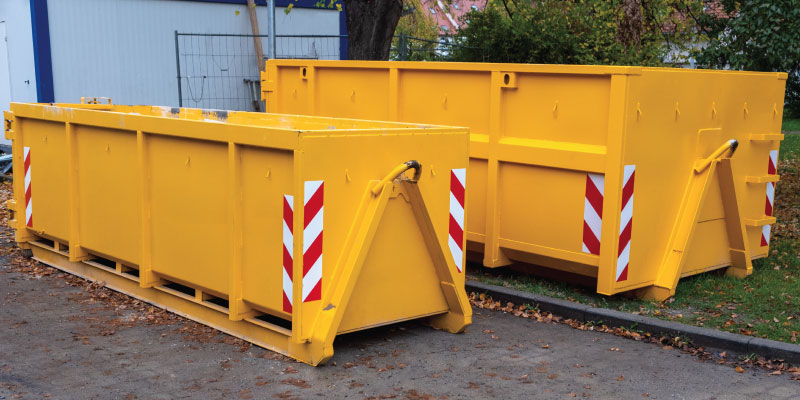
point(59, 51)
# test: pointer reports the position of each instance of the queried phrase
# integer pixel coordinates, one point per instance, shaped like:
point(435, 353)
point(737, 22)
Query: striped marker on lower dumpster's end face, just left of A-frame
point(312, 240)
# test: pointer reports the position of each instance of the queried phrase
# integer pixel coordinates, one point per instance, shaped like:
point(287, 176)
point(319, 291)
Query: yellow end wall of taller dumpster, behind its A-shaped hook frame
point(686, 115)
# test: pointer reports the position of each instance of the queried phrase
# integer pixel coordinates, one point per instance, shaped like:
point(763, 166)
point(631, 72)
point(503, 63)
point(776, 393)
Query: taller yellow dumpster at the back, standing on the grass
point(559, 153)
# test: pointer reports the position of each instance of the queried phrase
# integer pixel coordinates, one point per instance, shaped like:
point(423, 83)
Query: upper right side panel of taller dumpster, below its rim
point(557, 108)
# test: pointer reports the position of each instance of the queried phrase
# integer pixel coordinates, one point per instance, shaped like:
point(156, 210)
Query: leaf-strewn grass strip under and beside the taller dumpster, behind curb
point(765, 304)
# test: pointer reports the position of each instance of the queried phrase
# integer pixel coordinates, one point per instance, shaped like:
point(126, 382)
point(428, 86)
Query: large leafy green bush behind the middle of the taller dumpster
point(575, 32)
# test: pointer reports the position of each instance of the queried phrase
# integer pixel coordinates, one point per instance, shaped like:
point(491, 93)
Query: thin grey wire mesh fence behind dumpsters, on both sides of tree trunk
point(220, 71)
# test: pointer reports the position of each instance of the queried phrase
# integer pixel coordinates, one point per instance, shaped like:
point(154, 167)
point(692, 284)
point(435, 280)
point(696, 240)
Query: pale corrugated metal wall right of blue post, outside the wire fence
point(125, 49)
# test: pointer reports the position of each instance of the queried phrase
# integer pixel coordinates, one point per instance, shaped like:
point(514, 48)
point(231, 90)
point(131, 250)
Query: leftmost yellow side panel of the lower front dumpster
point(48, 169)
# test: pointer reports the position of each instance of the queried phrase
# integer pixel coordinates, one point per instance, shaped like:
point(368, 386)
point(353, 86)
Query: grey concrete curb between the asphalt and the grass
point(711, 338)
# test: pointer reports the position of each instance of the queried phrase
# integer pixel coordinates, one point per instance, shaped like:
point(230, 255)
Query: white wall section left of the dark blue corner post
point(19, 41)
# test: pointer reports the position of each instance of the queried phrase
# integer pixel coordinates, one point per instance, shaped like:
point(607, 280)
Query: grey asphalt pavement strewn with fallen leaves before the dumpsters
point(66, 341)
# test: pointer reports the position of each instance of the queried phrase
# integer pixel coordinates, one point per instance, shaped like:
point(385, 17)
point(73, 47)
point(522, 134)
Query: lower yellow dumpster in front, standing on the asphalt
point(282, 230)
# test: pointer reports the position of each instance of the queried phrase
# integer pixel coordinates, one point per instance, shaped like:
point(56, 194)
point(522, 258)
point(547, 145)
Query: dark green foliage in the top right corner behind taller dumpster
point(759, 35)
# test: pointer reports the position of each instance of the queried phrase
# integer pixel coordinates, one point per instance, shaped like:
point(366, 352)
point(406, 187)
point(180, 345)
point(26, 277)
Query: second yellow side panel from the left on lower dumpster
point(108, 192)
